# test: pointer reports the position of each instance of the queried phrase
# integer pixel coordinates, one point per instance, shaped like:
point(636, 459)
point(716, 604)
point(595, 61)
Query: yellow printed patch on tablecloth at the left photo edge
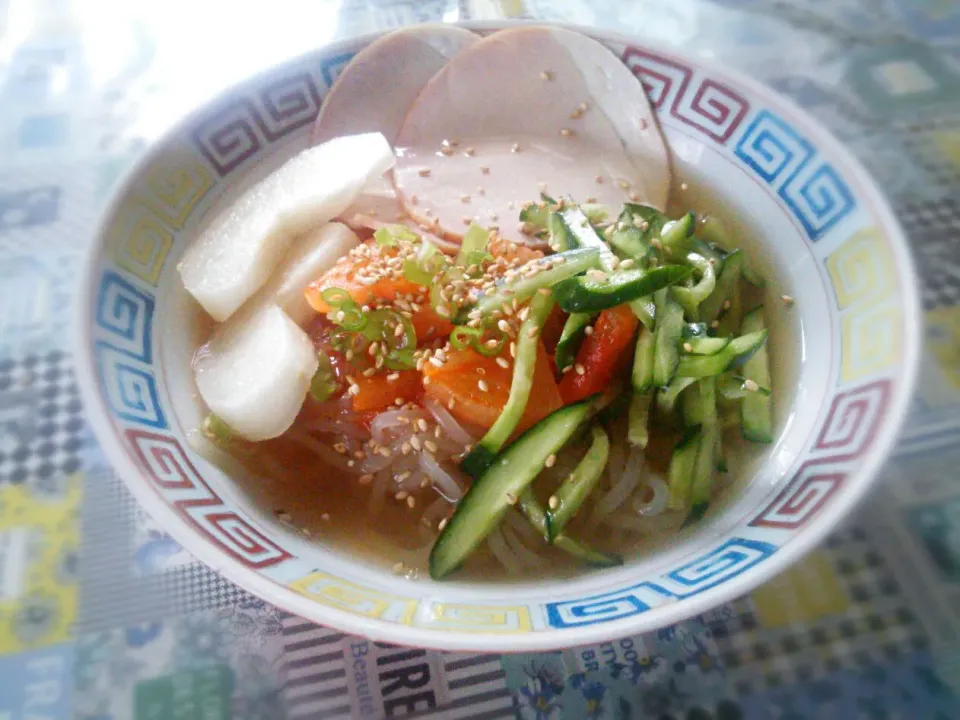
point(39, 542)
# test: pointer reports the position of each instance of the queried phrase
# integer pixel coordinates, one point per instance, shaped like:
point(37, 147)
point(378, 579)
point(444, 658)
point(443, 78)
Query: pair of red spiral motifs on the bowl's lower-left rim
point(166, 463)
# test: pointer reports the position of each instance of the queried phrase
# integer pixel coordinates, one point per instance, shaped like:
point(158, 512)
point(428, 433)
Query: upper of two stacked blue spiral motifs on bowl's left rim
point(127, 315)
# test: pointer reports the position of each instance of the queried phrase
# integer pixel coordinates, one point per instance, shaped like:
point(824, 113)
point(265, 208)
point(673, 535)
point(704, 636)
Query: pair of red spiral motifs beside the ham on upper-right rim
point(705, 104)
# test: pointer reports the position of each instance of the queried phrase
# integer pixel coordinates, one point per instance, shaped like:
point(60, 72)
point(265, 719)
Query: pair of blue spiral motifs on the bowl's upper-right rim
point(812, 189)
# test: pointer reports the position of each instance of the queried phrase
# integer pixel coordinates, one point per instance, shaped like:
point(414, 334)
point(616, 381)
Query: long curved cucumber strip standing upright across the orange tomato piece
point(528, 340)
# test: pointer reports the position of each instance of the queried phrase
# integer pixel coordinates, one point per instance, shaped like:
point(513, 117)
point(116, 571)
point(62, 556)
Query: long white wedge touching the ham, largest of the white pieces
point(236, 254)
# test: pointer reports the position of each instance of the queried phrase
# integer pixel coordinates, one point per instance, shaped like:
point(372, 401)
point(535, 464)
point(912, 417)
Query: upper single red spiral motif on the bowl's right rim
point(852, 422)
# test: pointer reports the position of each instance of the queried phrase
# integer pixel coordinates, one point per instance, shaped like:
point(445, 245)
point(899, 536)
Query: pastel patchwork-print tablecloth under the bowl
point(104, 617)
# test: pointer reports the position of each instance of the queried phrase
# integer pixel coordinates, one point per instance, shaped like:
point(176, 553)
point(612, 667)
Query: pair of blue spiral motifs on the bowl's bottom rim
point(723, 563)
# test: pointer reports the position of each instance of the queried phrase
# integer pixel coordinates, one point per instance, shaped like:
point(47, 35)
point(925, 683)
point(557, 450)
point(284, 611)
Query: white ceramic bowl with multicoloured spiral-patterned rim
point(849, 345)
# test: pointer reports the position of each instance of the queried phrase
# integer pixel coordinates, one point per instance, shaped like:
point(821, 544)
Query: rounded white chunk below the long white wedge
point(256, 375)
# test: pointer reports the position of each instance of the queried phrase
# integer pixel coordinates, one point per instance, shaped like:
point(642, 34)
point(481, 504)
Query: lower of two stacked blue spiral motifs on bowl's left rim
point(130, 388)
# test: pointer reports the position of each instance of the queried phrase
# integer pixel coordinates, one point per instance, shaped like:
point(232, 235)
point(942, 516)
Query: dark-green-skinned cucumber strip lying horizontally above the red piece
point(588, 294)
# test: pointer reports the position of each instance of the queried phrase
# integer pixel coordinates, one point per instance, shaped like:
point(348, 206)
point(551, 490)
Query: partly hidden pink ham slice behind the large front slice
point(376, 88)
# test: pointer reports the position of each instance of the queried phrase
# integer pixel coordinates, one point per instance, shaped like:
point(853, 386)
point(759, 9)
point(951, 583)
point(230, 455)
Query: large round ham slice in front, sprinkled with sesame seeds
point(522, 111)
